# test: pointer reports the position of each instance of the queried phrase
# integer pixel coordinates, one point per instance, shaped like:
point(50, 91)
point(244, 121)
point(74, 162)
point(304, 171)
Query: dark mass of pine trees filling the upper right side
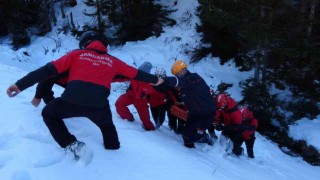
point(278, 38)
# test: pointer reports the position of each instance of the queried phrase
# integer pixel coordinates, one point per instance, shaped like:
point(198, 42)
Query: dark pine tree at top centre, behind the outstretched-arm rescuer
point(129, 20)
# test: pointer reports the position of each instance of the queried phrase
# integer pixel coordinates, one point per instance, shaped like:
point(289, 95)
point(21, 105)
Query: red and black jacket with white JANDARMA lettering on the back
point(91, 72)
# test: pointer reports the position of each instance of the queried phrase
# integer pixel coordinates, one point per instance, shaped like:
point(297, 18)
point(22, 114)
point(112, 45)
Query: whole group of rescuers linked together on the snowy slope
point(193, 110)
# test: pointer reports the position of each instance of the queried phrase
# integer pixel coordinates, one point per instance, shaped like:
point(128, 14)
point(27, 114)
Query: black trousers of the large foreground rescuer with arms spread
point(57, 110)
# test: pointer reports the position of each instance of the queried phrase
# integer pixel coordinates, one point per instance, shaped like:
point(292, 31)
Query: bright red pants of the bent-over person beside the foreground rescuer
point(141, 105)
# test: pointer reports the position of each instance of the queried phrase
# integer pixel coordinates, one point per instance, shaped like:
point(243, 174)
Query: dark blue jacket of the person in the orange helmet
point(195, 93)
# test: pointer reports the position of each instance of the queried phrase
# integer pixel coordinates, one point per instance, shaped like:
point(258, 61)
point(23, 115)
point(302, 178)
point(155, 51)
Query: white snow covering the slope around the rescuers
point(28, 152)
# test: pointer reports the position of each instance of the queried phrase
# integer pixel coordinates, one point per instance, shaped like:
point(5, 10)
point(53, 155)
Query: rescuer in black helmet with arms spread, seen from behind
point(91, 71)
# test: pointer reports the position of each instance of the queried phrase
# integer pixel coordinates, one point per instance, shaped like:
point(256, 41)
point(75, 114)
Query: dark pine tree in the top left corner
point(19, 15)
